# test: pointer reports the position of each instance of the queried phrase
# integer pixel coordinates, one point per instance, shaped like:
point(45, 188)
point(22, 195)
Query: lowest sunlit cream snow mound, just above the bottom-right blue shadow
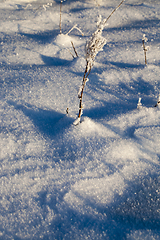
point(87, 193)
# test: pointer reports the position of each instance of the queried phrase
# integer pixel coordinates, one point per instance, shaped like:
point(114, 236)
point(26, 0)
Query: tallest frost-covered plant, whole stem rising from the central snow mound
point(93, 46)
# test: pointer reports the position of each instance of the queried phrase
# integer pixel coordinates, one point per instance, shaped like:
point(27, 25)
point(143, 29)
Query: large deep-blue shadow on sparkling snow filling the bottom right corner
point(135, 210)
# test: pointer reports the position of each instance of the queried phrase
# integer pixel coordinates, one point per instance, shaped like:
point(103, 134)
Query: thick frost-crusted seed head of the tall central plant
point(95, 44)
